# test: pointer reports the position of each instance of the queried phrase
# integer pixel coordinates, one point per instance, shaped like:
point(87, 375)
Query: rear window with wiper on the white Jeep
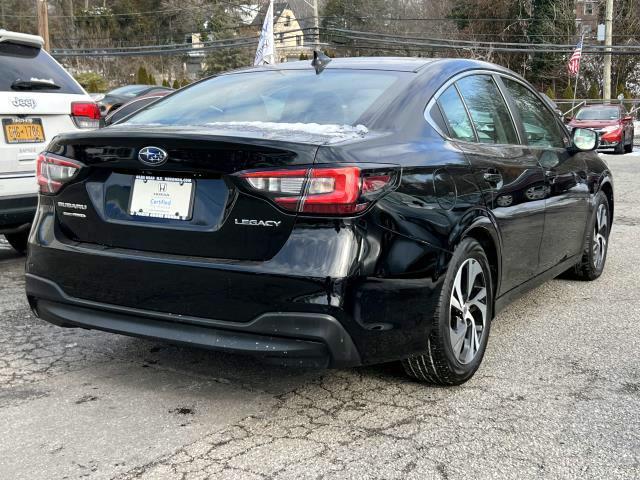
point(22, 63)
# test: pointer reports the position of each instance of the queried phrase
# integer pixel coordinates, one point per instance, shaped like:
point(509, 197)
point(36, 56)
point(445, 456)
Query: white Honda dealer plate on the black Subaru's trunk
point(162, 197)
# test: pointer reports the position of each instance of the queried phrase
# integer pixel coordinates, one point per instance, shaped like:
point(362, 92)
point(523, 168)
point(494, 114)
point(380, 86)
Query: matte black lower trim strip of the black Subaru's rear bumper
point(289, 338)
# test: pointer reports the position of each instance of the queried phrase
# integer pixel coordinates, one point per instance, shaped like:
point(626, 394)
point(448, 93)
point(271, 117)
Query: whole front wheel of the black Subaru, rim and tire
point(597, 242)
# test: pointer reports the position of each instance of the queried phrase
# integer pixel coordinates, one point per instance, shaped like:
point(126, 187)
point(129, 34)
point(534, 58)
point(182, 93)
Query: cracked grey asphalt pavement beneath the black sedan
point(558, 395)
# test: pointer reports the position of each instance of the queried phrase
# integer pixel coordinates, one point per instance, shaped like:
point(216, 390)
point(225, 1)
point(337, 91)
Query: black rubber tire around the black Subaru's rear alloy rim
point(440, 365)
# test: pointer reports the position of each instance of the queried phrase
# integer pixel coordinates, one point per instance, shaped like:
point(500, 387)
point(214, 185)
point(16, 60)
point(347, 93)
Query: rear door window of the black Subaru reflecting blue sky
point(488, 110)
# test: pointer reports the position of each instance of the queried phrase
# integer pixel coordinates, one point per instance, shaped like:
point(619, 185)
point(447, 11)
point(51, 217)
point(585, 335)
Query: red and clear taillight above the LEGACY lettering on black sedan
point(324, 191)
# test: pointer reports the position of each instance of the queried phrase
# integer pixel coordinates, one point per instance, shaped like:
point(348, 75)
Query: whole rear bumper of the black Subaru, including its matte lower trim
point(321, 274)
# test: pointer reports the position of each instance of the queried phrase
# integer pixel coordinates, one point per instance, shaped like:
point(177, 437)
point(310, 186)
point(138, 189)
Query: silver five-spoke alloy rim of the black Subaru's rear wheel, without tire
point(468, 311)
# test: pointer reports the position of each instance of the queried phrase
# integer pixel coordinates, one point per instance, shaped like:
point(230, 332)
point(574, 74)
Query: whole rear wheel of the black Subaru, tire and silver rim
point(462, 321)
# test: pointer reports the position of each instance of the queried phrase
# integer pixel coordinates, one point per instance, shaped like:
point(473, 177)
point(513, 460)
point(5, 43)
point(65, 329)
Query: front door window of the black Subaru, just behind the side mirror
point(540, 124)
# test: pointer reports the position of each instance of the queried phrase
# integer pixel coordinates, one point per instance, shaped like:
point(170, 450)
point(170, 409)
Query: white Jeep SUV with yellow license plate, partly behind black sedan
point(38, 100)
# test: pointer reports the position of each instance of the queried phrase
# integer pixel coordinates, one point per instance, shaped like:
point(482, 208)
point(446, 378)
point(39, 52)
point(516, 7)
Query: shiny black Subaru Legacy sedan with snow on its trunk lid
point(373, 210)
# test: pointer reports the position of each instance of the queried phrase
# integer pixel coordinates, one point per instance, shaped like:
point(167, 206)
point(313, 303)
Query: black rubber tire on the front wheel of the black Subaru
point(589, 268)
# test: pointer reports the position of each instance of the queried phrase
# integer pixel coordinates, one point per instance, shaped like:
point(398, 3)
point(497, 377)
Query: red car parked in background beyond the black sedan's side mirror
point(612, 122)
